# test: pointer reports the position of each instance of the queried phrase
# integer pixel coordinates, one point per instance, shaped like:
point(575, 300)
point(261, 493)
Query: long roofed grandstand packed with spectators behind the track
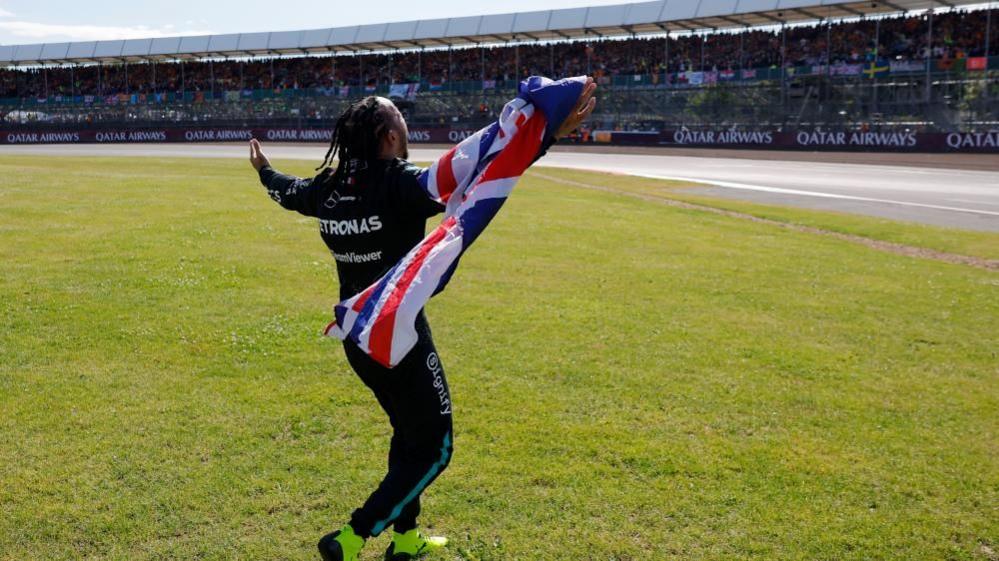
point(781, 65)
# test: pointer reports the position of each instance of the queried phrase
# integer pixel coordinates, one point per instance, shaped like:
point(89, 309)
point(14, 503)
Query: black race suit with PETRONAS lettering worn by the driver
point(369, 222)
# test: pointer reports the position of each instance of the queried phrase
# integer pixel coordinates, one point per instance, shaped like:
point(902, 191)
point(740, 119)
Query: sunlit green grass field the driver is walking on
point(631, 381)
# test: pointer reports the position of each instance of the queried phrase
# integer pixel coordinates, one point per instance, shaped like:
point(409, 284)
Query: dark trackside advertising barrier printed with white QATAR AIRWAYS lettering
point(886, 141)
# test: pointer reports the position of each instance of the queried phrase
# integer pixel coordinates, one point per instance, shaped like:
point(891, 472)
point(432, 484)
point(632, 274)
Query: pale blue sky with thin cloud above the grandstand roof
point(46, 21)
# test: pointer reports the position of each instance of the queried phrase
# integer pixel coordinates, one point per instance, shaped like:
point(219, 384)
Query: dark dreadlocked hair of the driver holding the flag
point(356, 136)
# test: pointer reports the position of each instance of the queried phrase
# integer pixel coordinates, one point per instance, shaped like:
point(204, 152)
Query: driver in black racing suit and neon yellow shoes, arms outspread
point(372, 211)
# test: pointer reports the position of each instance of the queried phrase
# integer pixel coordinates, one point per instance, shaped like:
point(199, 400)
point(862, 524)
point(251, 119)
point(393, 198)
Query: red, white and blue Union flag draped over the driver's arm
point(473, 180)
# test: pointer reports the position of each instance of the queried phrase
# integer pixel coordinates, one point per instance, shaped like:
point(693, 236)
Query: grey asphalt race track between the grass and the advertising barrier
point(943, 196)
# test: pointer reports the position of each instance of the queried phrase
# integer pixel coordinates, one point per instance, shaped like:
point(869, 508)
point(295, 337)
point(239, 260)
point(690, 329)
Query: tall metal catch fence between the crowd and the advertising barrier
point(951, 100)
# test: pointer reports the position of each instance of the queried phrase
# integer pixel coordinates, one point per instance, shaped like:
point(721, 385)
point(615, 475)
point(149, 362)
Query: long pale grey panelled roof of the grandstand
point(615, 20)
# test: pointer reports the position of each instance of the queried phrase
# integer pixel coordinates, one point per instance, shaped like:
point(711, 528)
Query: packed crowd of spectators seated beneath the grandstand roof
point(956, 34)
